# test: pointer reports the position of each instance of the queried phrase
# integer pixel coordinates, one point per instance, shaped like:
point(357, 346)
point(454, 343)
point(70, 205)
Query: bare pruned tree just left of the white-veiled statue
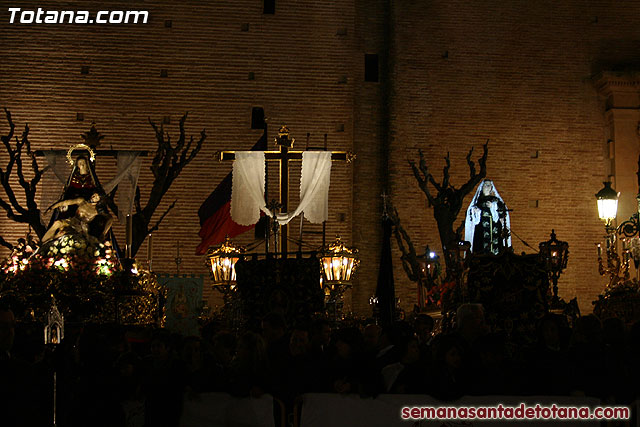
point(446, 203)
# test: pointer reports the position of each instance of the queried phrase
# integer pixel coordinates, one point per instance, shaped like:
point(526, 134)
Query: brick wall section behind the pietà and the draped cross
point(221, 59)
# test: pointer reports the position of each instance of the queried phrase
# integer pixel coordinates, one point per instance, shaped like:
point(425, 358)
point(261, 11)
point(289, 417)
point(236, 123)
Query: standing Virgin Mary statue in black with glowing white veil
point(487, 223)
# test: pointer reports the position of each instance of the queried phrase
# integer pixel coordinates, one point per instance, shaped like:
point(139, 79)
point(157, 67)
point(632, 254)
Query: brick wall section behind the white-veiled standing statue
point(519, 74)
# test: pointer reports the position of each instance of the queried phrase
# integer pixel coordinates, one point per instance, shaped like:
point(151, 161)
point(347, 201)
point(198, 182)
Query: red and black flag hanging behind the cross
point(215, 212)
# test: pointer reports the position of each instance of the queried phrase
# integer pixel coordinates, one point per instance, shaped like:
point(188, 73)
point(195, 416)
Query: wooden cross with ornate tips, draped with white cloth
point(283, 156)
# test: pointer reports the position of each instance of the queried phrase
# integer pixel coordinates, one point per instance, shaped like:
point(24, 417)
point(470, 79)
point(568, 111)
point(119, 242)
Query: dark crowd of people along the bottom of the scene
point(108, 376)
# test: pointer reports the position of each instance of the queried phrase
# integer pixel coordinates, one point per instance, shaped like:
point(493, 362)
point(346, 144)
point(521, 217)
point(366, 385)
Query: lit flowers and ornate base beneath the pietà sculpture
point(95, 289)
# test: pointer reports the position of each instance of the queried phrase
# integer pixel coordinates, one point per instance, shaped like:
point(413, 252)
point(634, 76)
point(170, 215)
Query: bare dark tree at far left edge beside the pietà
point(28, 213)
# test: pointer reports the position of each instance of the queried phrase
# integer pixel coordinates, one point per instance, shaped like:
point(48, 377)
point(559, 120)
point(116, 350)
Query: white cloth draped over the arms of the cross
point(247, 194)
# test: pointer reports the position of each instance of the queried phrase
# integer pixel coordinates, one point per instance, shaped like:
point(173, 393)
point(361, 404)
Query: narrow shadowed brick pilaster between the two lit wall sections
point(369, 141)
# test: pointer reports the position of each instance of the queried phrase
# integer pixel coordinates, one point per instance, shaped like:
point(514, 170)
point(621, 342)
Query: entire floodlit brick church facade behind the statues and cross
point(552, 86)
